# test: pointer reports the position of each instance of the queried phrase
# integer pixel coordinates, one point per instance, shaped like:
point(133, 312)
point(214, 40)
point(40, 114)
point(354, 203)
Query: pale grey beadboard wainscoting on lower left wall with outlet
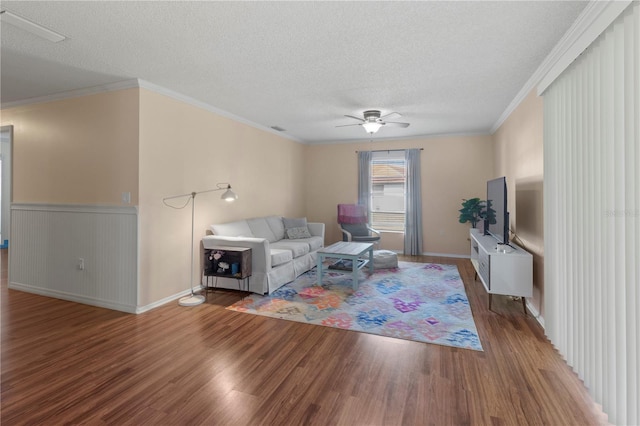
point(86, 254)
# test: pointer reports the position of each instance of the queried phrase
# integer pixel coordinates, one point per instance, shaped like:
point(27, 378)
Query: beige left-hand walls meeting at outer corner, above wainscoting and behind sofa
point(88, 150)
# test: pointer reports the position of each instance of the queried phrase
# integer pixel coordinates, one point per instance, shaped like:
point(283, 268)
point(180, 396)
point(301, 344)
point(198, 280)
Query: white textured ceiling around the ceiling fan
point(447, 67)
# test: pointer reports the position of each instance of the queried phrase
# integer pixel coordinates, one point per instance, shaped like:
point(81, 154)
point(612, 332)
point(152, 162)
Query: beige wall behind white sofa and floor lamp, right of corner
point(185, 149)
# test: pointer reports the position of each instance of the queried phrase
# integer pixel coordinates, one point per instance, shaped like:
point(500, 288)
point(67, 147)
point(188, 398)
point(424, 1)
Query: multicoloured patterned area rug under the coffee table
point(416, 301)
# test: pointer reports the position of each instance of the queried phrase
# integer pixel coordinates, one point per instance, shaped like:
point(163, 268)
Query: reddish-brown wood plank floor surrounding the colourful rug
point(66, 363)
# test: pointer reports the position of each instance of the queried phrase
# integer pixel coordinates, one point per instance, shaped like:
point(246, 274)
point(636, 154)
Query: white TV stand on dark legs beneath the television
point(507, 272)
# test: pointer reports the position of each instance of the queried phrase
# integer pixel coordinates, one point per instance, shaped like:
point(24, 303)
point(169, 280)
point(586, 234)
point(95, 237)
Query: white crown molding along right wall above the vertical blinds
point(593, 20)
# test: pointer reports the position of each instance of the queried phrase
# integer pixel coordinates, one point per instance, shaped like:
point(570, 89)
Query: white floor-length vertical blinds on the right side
point(592, 215)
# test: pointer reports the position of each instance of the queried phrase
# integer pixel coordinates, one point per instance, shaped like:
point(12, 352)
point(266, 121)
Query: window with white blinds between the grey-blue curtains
point(388, 184)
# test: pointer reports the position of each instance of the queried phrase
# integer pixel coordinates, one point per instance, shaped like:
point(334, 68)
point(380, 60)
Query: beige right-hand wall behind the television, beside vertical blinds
point(519, 157)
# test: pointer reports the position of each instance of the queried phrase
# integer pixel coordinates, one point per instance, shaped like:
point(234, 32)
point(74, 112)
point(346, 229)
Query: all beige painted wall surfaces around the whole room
point(89, 150)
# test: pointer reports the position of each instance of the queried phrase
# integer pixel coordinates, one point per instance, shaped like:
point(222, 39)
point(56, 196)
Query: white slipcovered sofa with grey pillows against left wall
point(275, 259)
